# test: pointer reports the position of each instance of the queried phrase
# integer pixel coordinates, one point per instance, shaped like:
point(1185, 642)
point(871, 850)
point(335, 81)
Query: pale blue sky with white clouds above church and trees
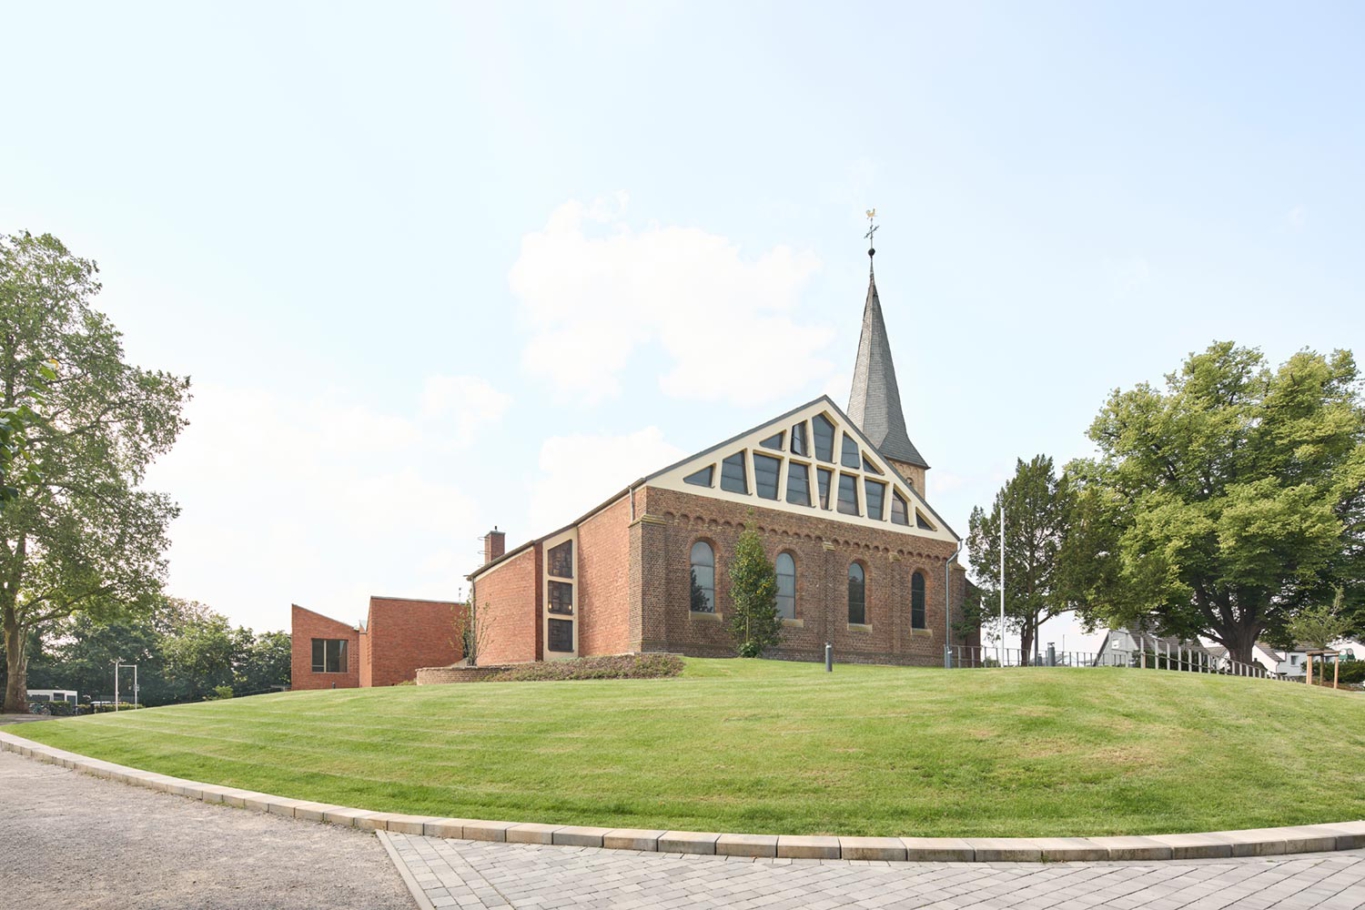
point(437, 268)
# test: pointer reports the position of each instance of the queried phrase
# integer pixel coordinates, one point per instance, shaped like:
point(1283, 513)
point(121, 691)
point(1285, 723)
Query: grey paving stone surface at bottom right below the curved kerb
point(468, 875)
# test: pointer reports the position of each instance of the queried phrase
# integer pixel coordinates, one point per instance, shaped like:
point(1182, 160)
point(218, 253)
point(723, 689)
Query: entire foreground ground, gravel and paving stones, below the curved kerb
point(74, 841)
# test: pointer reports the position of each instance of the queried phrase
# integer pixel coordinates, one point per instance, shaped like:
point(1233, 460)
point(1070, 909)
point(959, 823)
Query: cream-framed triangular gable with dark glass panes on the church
point(813, 460)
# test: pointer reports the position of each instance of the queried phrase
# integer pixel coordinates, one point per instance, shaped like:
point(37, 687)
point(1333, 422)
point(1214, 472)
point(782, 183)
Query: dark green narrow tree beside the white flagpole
point(1038, 511)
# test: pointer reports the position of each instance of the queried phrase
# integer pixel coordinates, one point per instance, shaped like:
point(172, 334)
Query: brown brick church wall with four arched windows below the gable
point(661, 548)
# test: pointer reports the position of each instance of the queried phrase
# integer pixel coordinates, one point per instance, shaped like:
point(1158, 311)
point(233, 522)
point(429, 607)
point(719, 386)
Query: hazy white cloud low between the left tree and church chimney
point(319, 503)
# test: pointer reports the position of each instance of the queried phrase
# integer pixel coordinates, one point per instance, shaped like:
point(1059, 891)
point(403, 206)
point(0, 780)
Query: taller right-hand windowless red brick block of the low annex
point(406, 635)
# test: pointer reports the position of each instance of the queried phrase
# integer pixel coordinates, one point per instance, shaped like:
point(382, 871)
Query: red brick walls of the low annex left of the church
point(399, 638)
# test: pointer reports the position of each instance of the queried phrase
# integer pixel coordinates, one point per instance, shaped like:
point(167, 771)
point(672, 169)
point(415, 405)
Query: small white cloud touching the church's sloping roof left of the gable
point(579, 473)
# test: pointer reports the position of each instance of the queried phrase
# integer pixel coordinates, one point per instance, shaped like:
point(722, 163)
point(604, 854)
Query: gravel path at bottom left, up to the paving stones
point(73, 841)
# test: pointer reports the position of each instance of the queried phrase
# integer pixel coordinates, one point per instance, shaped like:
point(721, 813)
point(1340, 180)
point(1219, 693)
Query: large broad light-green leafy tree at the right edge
point(1226, 503)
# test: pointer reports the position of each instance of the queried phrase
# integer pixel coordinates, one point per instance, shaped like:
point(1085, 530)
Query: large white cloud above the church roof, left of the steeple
point(594, 291)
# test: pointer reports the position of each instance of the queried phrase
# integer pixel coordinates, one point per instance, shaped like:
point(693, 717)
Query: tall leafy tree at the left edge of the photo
point(78, 534)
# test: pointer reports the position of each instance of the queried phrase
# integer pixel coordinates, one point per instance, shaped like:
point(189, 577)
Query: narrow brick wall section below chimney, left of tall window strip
point(508, 606)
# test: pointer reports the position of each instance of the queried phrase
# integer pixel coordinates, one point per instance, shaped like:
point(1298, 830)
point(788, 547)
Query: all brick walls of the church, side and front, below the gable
point(635, 585)
